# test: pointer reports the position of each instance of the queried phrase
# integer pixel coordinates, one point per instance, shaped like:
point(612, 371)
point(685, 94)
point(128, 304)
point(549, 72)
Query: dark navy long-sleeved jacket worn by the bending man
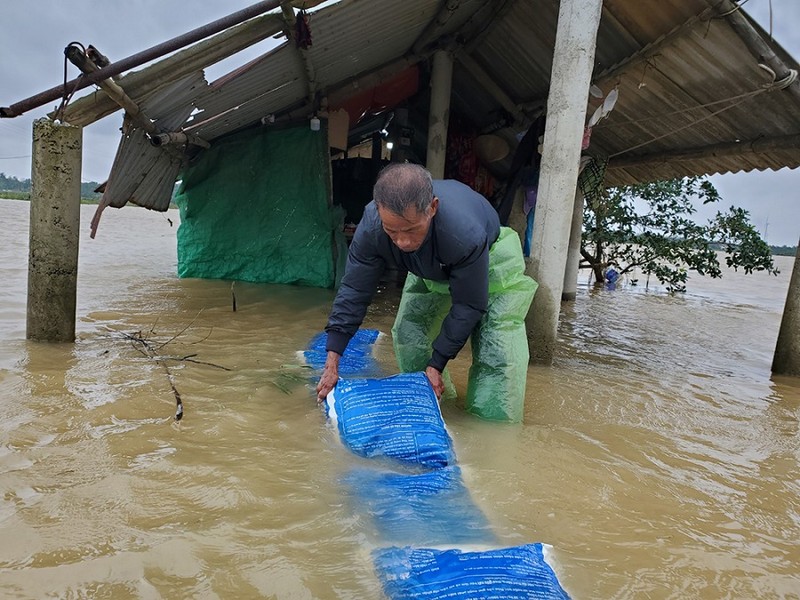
point(455, 250)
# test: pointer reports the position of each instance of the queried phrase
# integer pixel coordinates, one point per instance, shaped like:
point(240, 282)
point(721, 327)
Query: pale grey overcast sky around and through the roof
point(33, 35)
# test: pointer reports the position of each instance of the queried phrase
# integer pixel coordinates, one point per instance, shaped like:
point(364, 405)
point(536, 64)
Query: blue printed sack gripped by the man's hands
point(395, 417)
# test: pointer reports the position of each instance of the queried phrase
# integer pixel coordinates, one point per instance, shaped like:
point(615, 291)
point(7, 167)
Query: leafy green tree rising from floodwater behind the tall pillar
point(649, 227)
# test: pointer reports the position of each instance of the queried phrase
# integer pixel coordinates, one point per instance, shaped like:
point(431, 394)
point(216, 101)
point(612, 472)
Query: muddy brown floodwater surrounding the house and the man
point(659, 458)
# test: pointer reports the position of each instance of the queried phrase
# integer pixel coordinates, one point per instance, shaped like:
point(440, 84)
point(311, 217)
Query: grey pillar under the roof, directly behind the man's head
point(439, 115)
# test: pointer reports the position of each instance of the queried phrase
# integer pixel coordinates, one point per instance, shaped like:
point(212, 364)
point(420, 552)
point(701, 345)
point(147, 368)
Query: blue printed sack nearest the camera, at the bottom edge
point(519, 572)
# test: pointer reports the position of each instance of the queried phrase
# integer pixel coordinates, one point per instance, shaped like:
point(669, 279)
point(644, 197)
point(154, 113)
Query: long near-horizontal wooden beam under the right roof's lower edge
point(726, 149)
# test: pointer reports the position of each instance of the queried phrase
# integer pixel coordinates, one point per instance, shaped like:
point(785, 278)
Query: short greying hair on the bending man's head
point(403, 185)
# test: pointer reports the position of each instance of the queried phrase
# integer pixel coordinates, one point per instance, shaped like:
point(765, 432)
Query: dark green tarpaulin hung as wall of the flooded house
point(255, 208)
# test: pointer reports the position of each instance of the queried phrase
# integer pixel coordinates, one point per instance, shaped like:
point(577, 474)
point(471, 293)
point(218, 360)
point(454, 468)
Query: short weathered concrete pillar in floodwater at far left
point(54, 231)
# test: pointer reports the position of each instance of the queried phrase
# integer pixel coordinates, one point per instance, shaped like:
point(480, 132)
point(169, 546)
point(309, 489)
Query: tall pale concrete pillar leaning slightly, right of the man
point(573, 61)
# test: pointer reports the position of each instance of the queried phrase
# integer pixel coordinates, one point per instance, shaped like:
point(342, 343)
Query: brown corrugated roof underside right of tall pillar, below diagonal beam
point(700, 89)
